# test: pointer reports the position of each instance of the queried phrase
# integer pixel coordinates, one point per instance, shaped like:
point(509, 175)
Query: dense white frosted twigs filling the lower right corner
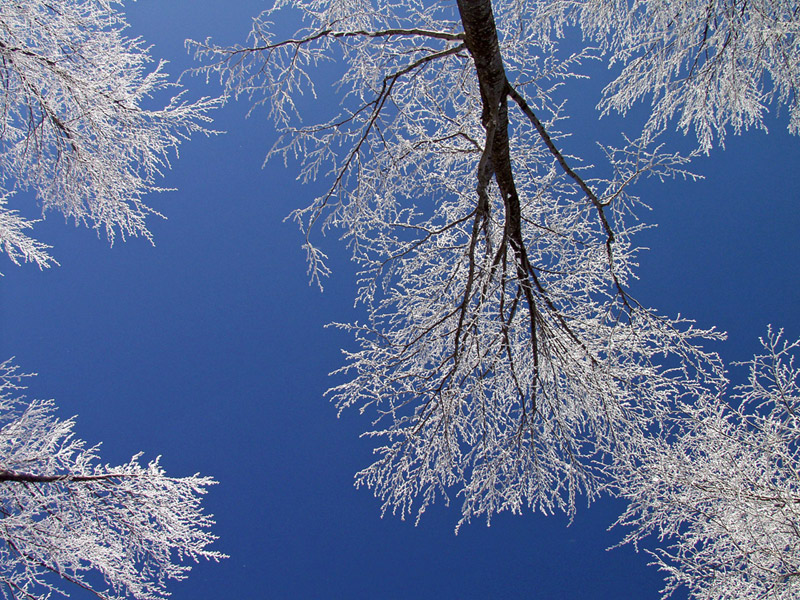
point(724, 495)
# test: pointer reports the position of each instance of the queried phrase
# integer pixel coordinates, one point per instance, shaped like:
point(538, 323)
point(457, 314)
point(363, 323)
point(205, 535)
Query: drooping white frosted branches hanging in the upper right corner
point(710, 64)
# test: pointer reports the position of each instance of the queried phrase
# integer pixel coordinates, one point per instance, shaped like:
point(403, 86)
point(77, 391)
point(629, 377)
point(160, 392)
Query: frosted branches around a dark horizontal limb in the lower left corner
point(67, 520)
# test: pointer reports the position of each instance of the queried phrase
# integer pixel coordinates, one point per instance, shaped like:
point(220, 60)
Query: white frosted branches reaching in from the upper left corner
point(84, 124)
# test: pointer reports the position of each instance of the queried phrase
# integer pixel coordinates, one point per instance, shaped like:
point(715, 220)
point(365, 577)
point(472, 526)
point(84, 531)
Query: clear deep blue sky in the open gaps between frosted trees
point(209, 348)
